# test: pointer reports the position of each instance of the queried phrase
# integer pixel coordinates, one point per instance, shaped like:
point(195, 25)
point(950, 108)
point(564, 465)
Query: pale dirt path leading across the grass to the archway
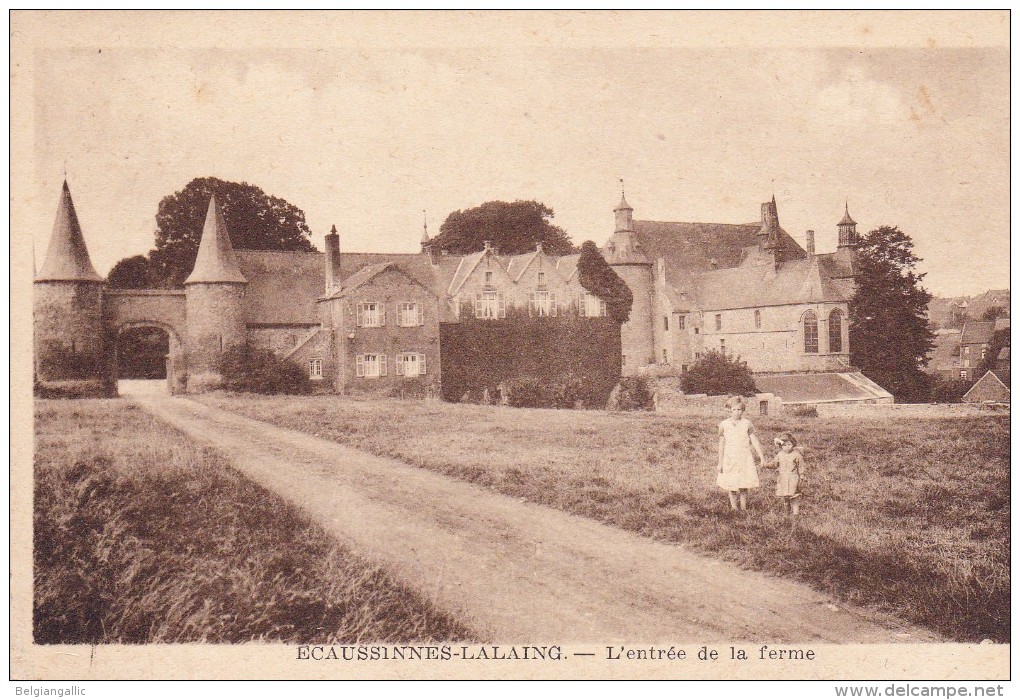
point(518, 572)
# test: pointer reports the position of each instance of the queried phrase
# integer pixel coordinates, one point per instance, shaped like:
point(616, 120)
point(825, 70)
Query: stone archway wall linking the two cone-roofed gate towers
point(150, 308)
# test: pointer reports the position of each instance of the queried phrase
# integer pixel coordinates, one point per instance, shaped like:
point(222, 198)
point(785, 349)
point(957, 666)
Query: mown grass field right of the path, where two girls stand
point(910, 517)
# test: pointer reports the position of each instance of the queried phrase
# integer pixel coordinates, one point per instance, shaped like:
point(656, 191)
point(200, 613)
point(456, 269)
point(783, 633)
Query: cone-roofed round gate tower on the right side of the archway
point(215, 294)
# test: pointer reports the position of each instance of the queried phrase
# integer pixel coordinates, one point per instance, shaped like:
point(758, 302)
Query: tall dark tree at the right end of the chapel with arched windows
point(890, 335)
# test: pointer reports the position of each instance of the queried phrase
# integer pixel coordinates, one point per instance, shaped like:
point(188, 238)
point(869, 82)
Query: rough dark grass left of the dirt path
point(141, 536)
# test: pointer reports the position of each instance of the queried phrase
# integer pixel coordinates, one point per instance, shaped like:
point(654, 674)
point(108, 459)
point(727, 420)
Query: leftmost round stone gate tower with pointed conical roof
point(68, 305)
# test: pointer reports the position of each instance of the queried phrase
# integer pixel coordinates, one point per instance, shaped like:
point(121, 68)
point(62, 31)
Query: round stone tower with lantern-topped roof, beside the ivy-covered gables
point(625, 256)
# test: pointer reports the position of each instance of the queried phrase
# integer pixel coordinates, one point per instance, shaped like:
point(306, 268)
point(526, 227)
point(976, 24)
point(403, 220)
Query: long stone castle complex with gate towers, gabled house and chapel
point(359, 321)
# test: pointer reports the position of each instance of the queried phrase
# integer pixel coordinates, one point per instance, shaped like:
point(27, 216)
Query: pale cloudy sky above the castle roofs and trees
point(370, 135)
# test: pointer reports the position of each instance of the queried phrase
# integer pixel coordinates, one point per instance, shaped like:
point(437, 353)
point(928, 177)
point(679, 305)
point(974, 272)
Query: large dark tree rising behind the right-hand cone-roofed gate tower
point(256, 220)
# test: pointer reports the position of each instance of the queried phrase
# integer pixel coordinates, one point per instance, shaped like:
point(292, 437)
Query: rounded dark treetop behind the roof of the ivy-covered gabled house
point(514, 228)
